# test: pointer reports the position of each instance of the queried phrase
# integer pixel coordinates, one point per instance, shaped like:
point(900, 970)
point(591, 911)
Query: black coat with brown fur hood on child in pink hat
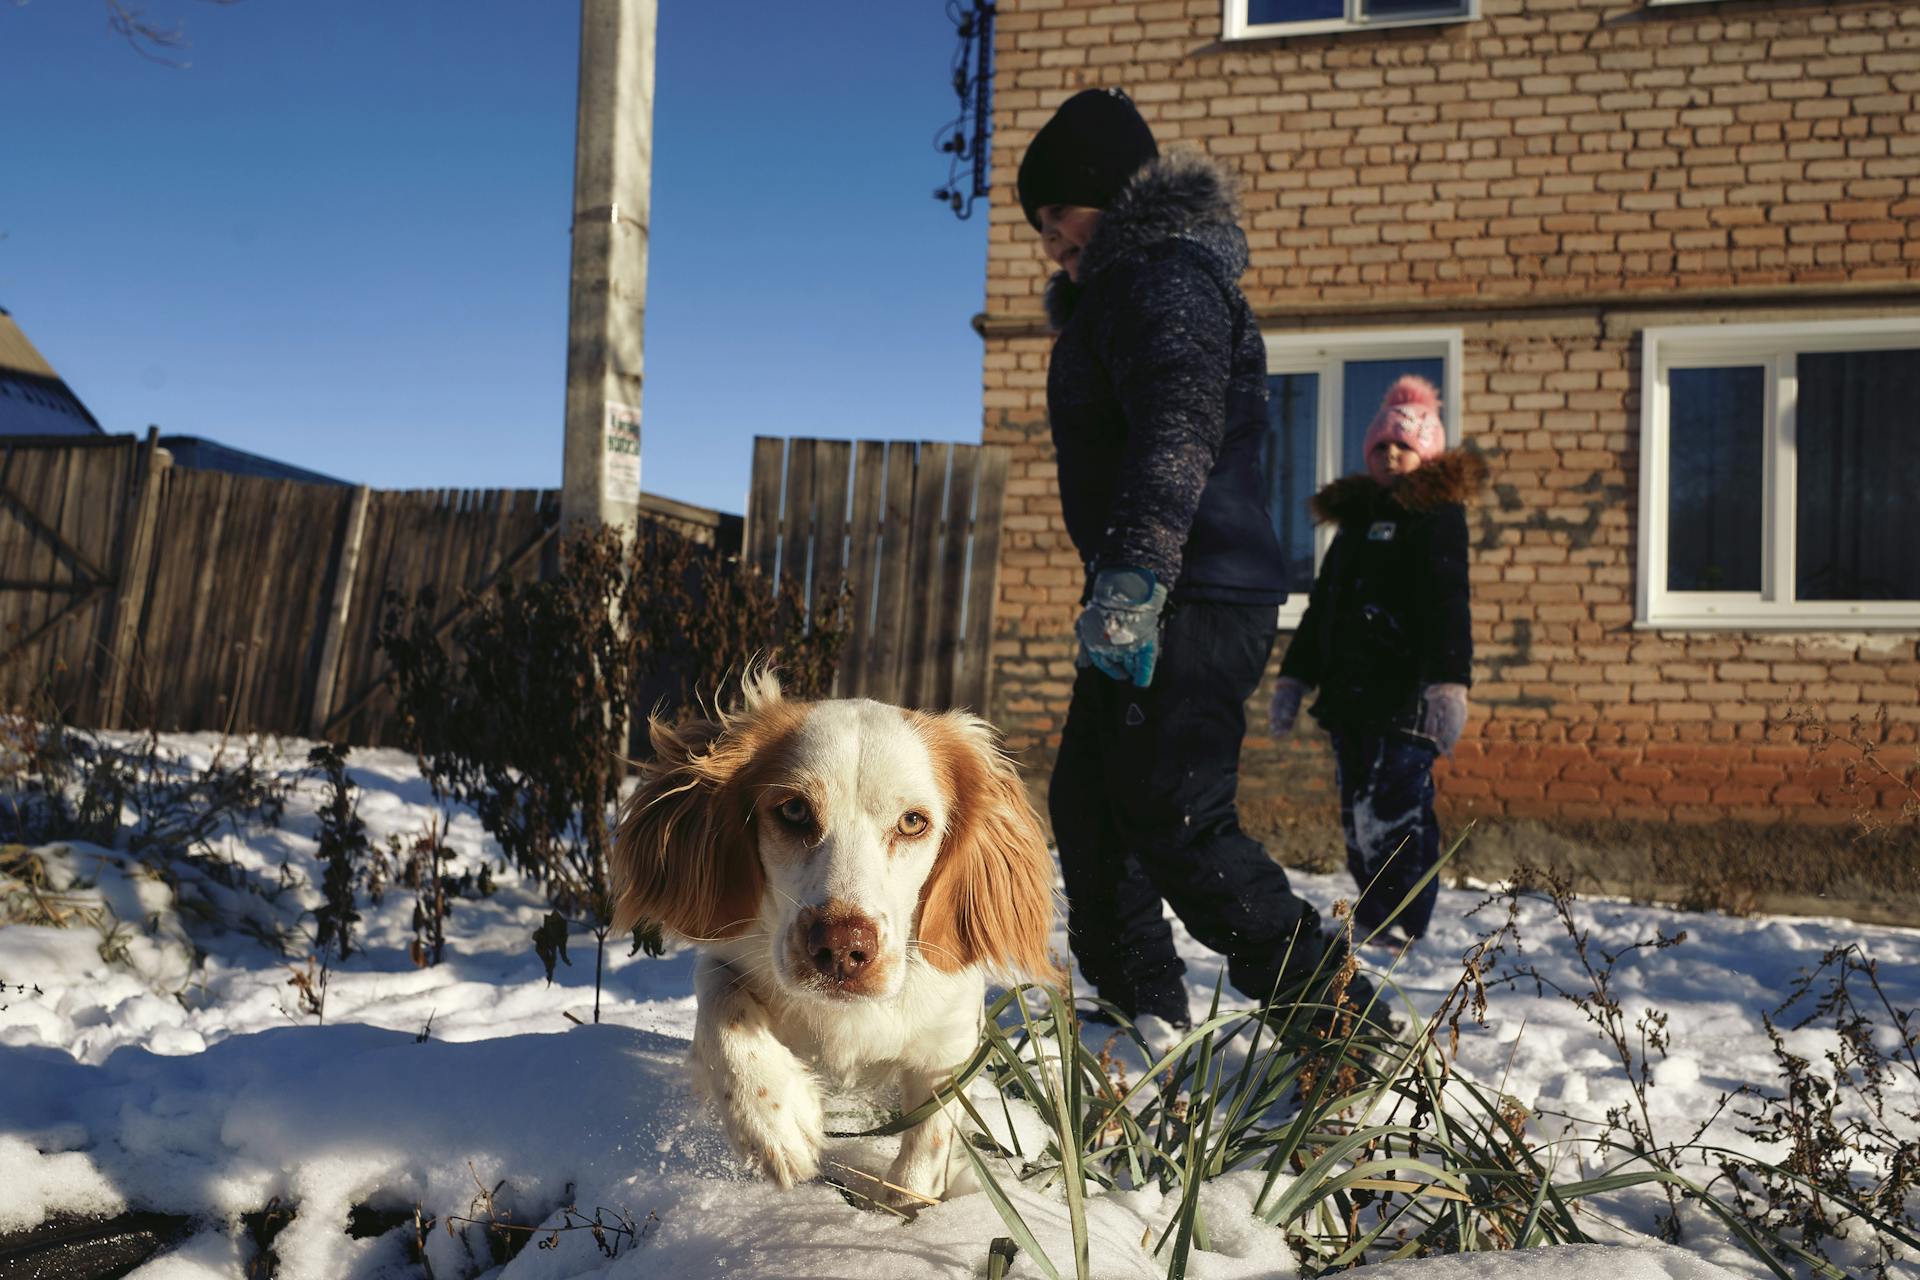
point(1391, 605)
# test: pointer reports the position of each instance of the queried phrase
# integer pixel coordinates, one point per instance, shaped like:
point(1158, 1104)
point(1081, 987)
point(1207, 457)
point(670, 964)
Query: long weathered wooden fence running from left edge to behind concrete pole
point(139, 594)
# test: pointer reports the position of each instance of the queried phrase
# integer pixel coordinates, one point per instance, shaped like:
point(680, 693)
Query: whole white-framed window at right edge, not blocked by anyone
point(1779, 475)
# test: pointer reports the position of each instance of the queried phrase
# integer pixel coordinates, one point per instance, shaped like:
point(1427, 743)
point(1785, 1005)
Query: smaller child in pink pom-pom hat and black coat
point(1387, 640)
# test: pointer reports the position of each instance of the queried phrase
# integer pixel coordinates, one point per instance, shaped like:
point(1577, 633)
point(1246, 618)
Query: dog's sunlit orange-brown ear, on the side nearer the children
point(990, 899)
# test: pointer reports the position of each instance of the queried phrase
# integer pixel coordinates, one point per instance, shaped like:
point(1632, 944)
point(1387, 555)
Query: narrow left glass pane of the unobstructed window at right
point(1716, 479)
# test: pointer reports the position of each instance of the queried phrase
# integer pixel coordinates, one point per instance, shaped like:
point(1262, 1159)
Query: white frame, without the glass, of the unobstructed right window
point(1773, 348)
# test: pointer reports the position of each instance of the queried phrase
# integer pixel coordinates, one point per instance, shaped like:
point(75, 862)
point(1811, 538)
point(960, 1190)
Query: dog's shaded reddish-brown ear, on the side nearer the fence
point(684, 853)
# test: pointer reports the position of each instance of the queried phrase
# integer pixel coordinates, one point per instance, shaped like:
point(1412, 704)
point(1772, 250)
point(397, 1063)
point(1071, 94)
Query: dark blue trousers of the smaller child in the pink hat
point(1387, 813)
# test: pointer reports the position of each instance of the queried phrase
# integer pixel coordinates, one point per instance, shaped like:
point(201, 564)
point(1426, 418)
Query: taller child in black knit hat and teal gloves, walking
point(1157, 396)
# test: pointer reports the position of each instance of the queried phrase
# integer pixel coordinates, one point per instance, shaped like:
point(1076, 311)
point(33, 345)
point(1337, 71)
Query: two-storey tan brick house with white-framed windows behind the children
point(1664, 262)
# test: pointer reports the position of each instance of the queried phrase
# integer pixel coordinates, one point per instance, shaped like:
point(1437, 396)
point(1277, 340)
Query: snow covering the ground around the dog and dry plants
point(181, 1076)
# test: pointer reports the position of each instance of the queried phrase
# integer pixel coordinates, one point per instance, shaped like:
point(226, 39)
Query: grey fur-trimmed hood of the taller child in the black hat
point(1176, 197)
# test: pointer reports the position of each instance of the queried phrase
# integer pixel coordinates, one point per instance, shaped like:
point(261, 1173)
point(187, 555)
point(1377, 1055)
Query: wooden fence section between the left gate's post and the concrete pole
point(266, 596)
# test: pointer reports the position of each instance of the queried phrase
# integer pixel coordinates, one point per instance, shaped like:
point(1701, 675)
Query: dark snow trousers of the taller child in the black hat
point(1143, 809)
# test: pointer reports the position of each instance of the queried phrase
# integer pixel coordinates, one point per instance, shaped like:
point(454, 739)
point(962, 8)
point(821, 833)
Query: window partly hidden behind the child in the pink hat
point(1322, 394)
